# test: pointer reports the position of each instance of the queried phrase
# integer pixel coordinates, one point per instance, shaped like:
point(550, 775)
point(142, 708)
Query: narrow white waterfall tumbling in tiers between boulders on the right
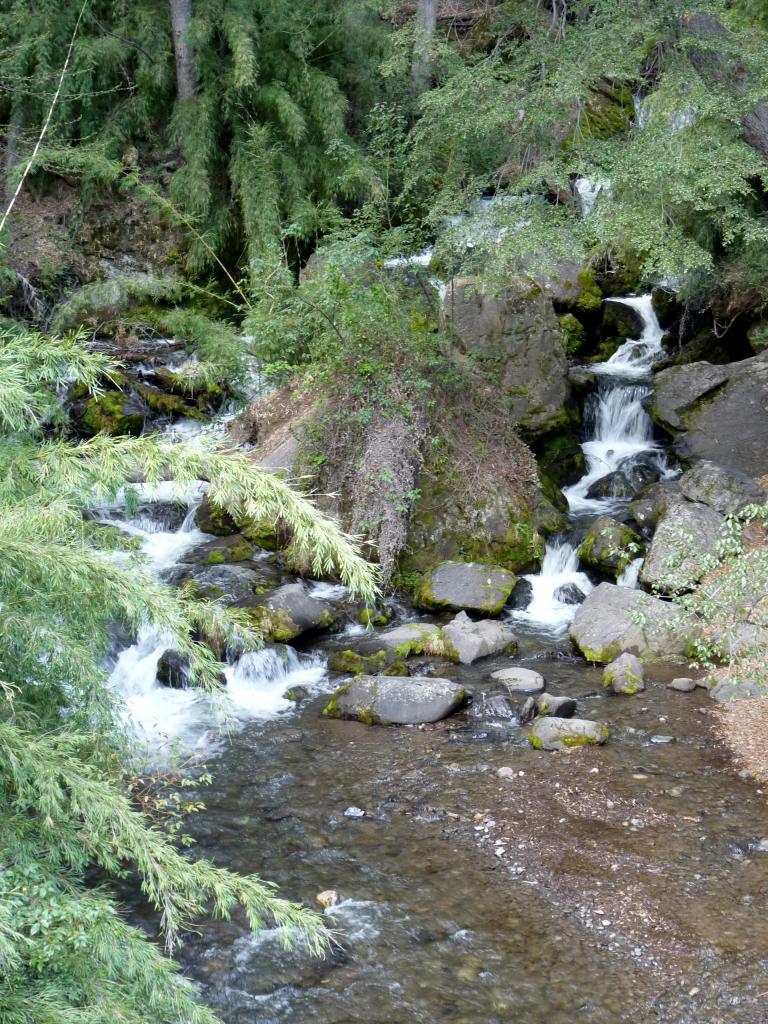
point(620, 438)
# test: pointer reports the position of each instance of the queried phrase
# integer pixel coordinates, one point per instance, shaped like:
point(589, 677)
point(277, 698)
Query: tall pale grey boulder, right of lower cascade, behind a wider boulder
point(687, 535)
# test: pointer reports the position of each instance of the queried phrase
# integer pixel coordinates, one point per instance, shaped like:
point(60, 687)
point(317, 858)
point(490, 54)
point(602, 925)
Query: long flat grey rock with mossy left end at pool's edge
point(397, 700)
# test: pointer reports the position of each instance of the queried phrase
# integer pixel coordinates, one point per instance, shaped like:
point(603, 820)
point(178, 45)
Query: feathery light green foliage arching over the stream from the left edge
point(65, 805)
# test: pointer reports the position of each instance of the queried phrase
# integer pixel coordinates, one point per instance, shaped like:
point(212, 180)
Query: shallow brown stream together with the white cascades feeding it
point(625, 883)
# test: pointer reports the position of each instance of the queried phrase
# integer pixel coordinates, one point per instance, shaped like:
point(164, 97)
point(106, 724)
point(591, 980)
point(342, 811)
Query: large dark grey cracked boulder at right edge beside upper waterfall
point(719, 413)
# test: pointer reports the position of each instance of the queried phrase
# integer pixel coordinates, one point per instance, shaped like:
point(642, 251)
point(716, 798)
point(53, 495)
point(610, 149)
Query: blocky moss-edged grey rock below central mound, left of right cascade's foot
point(465, 585)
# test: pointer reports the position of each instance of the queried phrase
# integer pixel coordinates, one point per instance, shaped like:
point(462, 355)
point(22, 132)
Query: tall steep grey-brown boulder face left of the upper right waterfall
point(518, 335)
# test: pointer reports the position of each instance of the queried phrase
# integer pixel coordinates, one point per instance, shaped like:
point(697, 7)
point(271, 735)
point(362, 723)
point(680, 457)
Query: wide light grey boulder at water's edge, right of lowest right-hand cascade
point(615, 619)
